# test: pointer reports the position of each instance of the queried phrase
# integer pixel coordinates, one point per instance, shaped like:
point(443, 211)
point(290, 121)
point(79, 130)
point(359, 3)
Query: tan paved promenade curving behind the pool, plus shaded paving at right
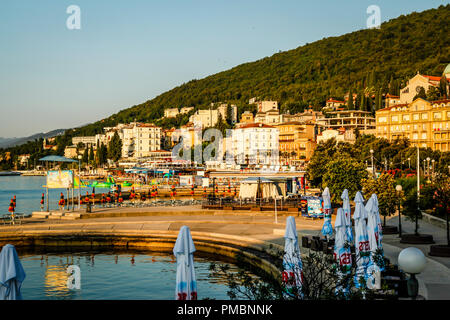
point(247, 227)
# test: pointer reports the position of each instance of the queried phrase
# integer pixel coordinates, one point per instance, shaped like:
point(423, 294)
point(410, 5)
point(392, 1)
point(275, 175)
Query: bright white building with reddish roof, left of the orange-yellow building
point(255, 143)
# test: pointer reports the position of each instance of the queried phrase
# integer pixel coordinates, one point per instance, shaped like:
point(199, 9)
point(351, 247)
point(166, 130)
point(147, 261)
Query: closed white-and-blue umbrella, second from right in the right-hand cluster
point(362, 248)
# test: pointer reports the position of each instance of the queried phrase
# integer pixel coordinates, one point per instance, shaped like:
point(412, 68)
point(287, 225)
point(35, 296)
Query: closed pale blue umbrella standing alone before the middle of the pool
point(186, 286)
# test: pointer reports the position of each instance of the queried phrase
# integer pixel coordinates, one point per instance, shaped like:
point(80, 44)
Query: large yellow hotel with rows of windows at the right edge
point(424, 123)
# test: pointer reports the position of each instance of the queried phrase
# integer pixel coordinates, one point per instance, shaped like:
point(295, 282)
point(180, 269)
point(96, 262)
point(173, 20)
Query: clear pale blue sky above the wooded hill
point(130, 51)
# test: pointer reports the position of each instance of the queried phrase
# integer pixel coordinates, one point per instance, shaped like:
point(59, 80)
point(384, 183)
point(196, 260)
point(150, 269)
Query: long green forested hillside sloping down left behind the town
point(311, 73)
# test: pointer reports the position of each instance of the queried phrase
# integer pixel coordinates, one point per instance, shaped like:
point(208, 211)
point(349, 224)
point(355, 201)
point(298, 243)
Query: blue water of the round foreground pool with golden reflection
point(139, 276)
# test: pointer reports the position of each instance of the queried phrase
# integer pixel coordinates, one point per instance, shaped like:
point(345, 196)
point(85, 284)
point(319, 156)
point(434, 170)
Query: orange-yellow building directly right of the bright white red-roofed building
point(296, 141)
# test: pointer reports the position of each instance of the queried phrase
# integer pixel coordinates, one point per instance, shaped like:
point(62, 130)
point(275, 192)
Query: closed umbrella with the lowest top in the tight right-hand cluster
point(342, 252)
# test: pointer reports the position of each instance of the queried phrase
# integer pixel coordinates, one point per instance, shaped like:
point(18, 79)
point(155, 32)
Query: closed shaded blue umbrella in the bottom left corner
point(11, 274)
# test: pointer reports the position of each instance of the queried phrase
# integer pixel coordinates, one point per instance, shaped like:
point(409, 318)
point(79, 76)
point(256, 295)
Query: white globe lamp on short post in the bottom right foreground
point(412, 261)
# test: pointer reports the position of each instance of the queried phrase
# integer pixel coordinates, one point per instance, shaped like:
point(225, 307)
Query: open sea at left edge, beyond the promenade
point(28, 192)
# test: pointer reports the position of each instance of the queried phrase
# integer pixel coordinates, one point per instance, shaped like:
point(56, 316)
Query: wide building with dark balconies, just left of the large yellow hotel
point(348, 119)
